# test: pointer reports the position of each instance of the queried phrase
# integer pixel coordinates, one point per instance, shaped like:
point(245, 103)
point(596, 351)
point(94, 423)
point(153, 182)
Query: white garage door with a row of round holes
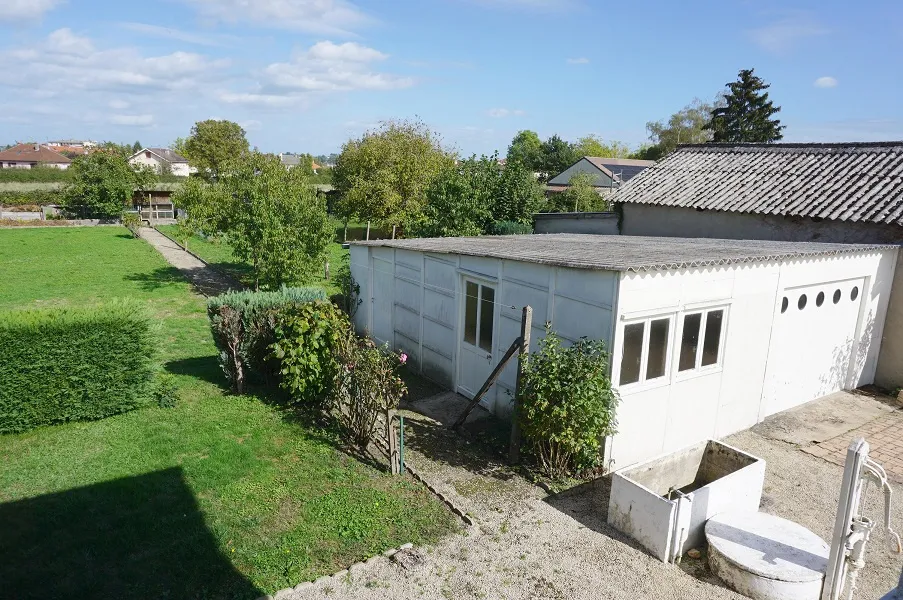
point(812, 343)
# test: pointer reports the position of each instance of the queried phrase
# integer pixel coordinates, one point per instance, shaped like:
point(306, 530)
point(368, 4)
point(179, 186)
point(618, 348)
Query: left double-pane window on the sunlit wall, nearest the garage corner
point(645, 350)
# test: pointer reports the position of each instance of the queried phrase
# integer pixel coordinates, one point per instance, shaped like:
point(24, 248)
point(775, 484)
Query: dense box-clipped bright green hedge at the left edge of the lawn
point(75, 364)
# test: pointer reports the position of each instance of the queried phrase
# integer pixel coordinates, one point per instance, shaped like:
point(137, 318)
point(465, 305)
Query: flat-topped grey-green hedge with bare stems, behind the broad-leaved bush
point(243, 326)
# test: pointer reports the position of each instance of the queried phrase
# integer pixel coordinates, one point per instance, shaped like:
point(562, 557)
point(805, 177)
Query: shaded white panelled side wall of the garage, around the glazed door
point(413, 301)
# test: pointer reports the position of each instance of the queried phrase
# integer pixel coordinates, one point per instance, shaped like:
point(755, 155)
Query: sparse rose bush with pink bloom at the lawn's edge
point(367, 384)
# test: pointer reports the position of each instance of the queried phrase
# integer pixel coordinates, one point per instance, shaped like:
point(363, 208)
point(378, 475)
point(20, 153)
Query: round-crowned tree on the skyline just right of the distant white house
point(214, 147)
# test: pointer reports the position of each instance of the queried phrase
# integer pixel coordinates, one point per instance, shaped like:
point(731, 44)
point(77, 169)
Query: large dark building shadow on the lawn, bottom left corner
point(135, 537)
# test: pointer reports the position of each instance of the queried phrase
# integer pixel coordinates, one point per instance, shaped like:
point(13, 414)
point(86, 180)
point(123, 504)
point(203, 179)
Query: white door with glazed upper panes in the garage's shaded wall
point(477, 337)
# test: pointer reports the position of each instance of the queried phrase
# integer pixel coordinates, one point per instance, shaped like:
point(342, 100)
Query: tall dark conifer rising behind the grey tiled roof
point(747, 113)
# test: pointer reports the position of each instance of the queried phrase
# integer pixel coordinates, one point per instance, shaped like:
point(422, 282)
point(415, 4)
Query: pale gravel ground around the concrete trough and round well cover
point(529, 544)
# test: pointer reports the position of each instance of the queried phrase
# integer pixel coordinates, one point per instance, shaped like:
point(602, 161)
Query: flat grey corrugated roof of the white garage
point(621, 252)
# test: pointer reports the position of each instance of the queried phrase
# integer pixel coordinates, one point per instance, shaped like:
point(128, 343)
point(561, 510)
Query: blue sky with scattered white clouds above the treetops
point(305, 75)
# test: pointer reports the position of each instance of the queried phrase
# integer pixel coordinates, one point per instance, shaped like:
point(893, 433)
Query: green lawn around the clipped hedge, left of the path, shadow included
point(220, 497)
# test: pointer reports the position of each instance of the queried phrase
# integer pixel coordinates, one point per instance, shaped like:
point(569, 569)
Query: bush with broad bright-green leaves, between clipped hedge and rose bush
point(307, 343)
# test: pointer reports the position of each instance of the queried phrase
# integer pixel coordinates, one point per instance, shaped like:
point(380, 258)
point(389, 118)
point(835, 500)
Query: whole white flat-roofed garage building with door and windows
point(708, 336)
